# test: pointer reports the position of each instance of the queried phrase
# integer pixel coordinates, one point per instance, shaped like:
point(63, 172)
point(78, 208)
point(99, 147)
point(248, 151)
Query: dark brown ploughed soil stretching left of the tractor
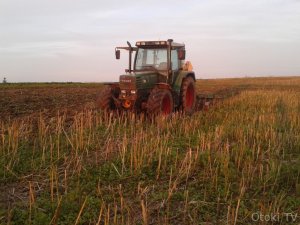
point(19, 101)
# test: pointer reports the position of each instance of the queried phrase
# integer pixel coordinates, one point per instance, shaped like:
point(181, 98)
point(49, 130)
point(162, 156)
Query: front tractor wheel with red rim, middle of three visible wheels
point(160, 102)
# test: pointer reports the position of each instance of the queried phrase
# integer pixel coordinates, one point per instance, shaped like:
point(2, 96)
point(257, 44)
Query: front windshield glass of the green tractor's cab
point(151, 59)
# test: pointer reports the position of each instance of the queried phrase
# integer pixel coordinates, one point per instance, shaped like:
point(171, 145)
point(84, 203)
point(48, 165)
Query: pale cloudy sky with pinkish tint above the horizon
point(74, 40)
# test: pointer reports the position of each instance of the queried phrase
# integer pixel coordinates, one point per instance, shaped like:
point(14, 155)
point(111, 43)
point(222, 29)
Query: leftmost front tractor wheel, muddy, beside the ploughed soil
point(105, 99)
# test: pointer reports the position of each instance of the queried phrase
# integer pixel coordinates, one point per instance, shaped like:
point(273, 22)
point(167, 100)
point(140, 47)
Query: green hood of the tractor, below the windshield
point(142, 80)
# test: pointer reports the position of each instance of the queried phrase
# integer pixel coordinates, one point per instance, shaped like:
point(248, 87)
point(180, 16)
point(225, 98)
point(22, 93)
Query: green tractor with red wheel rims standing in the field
point(159, 83)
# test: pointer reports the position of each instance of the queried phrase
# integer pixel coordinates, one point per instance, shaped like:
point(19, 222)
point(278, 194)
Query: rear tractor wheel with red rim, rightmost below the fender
point(188, 95)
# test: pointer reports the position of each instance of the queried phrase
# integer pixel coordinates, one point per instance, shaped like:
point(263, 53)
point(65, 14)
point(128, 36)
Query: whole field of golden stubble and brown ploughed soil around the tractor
point(238, 162)
